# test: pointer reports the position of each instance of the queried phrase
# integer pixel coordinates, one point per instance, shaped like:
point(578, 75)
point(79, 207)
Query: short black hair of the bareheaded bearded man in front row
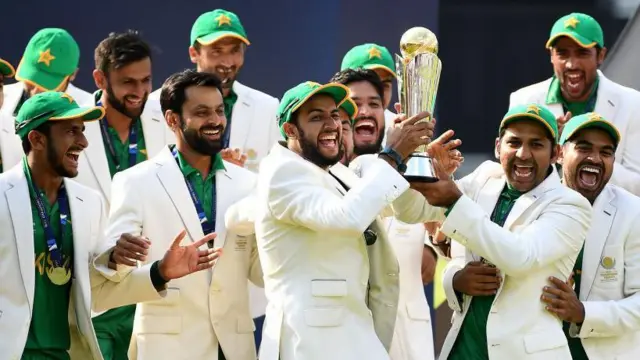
point(173, 93)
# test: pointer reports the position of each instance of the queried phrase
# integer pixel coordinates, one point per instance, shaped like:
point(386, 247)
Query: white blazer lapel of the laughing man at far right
point(603, 216)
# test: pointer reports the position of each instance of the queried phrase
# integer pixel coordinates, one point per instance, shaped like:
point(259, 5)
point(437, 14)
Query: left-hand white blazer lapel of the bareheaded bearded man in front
point(174, 184)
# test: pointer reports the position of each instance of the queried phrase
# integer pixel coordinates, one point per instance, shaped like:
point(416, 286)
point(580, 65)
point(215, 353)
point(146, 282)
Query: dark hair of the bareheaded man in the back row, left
point(119, 50)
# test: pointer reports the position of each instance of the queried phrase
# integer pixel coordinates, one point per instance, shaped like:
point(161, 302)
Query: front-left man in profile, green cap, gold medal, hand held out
point(51, 227)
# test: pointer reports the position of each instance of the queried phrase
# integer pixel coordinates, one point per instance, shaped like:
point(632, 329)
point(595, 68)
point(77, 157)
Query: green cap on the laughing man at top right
point(582, 28)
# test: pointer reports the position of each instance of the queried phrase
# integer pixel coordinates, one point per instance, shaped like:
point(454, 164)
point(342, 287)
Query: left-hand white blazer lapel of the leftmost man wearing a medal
point(20, 209)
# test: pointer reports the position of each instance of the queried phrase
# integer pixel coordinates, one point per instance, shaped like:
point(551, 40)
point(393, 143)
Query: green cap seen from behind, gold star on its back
point(51, 56)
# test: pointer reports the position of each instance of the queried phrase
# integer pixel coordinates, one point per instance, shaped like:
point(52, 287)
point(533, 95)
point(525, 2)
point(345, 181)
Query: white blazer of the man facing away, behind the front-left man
point(10, 143)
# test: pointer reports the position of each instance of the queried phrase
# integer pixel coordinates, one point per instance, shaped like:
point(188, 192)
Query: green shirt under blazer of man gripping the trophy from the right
point(471, 343)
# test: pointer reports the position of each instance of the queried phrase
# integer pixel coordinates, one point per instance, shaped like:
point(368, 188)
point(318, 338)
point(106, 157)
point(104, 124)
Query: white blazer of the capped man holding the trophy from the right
point(541, 237)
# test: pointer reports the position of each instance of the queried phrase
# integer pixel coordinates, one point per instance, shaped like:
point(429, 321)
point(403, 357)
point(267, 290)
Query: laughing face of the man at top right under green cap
point(576, 68)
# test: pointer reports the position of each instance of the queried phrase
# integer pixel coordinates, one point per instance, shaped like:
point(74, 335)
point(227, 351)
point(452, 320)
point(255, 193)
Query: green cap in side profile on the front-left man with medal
point(52, 106)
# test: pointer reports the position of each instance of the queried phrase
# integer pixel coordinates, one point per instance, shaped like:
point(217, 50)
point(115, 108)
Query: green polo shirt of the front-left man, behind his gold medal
point(49, 336)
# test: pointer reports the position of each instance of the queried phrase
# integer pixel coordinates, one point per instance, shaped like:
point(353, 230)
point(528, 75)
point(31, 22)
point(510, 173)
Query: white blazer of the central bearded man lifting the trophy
point(315, 261)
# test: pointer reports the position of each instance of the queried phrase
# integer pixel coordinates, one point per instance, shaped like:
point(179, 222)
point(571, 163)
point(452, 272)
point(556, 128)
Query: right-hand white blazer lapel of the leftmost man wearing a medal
point(81, 225)
